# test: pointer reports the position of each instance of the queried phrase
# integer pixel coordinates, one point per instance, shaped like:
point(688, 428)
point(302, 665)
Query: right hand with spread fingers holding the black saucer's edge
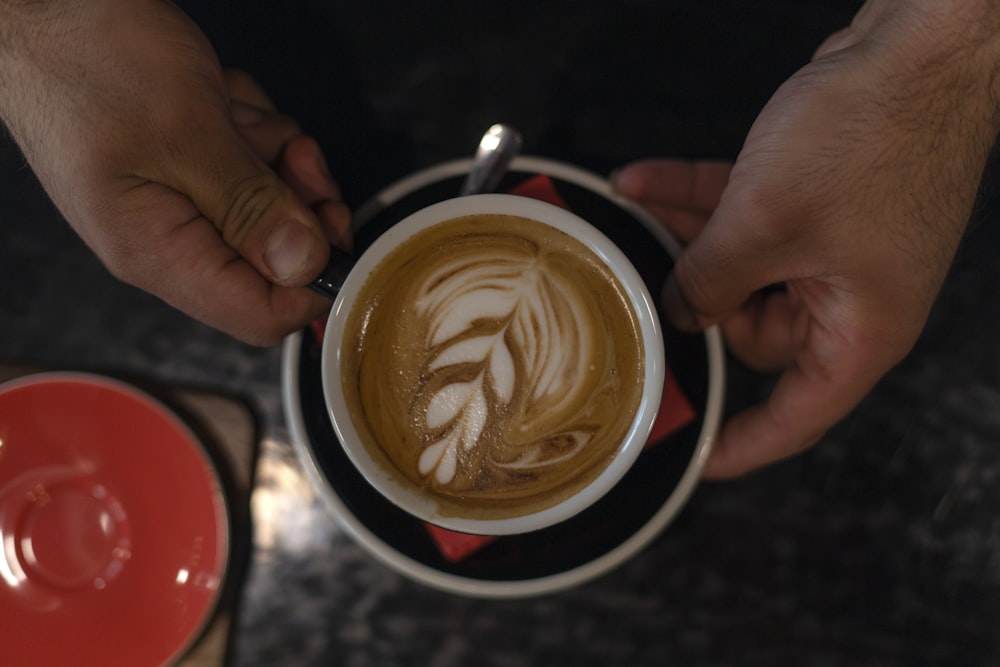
point(852, 192)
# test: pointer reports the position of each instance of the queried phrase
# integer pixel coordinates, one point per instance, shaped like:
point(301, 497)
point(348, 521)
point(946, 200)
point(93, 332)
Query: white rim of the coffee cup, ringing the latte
point(635, 288)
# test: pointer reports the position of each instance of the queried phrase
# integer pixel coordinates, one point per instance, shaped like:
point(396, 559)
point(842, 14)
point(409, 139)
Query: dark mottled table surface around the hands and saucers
point(881, 546)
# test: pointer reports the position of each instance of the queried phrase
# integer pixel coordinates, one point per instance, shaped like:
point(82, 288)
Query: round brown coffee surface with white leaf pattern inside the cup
point(496, 364)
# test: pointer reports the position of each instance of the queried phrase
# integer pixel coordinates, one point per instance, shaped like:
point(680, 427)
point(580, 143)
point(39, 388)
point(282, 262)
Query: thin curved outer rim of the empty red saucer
point(220, 502)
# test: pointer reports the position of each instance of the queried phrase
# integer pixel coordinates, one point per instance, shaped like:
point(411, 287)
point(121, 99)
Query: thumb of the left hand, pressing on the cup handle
point(255, 212)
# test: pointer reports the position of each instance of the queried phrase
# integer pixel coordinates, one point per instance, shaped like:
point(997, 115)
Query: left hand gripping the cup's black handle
point(184, 180)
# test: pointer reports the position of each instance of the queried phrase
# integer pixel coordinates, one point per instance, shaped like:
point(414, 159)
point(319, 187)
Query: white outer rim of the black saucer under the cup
point(482, 588)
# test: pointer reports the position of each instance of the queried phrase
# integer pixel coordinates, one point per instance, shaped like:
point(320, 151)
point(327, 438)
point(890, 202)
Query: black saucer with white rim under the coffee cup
point(587, 545)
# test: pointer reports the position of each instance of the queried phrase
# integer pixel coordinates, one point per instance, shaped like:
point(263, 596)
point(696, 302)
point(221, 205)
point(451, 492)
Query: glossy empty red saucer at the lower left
point(114, 533)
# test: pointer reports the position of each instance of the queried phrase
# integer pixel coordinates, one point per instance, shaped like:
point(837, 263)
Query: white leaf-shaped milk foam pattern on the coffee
point(481, 315)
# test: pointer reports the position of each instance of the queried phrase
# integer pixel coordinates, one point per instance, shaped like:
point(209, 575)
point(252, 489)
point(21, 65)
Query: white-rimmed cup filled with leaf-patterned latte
point(496, 360)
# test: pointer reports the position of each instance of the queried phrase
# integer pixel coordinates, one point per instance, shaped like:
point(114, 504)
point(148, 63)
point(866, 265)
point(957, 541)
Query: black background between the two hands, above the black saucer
point(390, 86)
